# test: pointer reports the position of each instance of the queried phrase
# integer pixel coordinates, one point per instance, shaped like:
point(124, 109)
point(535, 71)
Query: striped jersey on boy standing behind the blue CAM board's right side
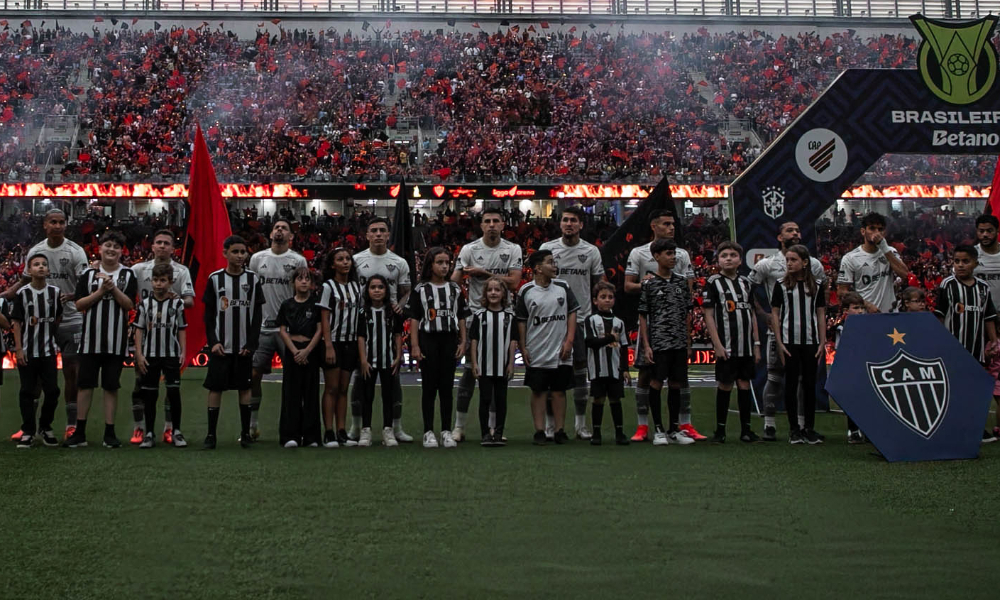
point(965, 310)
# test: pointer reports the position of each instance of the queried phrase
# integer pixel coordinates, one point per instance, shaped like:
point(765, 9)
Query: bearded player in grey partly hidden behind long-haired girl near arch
point(764, 275)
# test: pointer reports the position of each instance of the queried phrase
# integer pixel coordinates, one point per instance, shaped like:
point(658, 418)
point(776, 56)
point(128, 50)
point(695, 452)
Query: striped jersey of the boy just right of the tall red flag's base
point(233, 310)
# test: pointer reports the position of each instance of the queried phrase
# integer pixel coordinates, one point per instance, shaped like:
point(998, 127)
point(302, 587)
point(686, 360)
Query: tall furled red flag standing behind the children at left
point(208, 227)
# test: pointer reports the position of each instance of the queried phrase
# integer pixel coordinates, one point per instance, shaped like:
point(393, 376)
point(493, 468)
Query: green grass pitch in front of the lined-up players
point(703, 521)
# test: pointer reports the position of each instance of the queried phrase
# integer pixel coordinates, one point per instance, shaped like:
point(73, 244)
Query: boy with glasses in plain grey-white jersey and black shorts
point(546, 314)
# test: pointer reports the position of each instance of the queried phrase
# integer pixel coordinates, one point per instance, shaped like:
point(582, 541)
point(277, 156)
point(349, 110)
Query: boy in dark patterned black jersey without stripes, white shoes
point(665, 327)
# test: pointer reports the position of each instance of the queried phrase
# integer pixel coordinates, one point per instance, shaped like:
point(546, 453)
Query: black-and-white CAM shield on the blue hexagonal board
point(914, 390)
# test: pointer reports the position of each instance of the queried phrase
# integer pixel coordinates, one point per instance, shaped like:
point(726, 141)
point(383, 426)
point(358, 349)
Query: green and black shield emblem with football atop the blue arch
point(956, 60)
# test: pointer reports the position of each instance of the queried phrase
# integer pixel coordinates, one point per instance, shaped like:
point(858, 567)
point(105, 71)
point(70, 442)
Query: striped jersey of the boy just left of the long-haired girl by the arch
point(731, 299)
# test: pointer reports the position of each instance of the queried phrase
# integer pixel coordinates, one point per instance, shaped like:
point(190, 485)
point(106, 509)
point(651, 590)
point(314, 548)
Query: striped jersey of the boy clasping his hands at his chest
point(106, 323)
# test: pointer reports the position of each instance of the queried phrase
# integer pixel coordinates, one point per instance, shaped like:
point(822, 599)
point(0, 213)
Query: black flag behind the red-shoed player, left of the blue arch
point(635, 231)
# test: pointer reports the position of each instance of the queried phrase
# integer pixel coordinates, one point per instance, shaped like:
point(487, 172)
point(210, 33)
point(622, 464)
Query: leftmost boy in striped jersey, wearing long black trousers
point(36, 316)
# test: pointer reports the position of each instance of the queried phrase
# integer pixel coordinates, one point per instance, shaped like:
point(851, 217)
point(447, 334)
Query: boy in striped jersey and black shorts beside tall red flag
point(233, 315)
